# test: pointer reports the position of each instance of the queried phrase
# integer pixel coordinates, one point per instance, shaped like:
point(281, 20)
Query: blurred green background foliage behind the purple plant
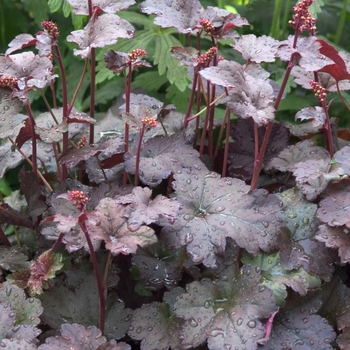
point(166, 80)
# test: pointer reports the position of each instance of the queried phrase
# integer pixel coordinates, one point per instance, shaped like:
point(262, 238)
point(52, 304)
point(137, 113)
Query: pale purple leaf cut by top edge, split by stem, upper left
point(80, 7)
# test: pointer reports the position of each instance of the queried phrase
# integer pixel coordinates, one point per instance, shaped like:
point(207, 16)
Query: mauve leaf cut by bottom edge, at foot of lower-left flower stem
point(75, 336)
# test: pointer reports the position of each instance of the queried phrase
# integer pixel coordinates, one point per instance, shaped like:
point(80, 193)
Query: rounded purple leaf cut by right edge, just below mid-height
point(335, 208)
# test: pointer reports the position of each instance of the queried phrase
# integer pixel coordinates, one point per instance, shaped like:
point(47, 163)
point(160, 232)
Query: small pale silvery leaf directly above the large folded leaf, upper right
point(257, 49)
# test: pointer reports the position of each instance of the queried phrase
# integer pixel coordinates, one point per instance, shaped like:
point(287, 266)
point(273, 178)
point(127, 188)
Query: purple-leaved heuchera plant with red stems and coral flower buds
point(186, 230)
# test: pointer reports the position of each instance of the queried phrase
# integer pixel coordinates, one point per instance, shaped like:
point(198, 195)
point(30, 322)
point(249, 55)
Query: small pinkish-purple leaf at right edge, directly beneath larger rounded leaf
point(337, 238)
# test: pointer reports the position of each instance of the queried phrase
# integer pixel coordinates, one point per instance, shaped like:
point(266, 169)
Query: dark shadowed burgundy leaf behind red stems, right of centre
point(242, 150)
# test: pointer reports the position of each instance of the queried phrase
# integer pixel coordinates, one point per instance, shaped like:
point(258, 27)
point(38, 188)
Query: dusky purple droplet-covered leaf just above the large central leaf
point(161, 156)
